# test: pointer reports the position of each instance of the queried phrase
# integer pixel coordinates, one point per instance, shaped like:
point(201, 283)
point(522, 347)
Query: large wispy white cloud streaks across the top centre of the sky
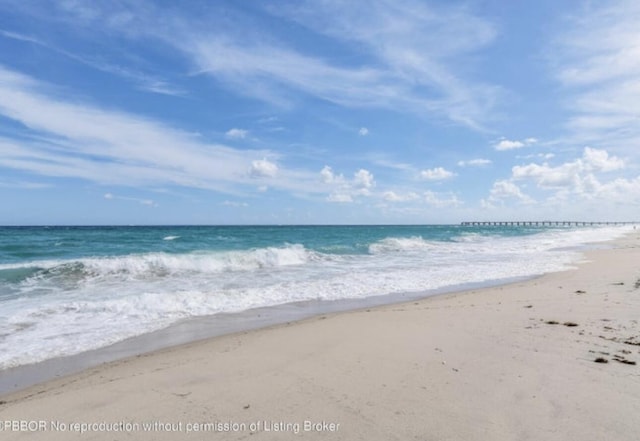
point(411, 47)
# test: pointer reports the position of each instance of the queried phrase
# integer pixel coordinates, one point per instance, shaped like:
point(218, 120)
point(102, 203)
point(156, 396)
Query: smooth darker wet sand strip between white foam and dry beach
point(196, 329)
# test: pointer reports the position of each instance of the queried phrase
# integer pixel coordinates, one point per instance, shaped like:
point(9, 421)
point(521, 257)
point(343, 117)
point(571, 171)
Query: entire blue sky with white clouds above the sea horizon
point(319, 111)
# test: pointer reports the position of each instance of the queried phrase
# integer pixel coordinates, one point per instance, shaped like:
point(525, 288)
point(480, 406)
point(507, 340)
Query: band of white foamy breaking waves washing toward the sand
point(54, 307)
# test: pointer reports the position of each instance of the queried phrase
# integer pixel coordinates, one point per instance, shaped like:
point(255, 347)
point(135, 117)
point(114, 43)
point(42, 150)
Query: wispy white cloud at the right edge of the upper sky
point(597, 60)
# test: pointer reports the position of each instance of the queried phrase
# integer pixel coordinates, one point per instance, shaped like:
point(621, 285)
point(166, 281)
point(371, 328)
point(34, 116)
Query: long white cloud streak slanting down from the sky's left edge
point(71, 139)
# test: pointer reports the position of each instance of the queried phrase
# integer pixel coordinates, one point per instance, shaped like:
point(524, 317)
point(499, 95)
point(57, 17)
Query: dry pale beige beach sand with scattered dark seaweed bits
point(515, 362)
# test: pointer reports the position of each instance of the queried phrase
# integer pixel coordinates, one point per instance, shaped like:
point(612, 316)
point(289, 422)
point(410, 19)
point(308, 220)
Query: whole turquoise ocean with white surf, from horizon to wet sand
point(68, 290)
